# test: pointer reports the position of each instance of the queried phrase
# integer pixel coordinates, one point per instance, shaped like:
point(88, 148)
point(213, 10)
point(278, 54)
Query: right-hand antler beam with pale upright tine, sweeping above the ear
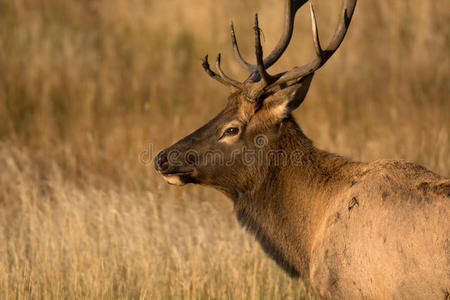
point(348, 7)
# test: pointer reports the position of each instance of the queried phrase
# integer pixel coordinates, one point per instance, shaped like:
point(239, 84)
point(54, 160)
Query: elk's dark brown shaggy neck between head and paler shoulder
point(284, 205)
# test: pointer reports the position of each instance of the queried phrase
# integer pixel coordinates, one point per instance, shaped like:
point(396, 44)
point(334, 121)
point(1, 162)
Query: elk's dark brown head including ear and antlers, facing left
point(219, 153)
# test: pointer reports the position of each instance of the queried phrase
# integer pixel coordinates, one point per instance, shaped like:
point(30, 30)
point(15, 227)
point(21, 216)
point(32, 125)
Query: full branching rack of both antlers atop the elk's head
point(259, 80)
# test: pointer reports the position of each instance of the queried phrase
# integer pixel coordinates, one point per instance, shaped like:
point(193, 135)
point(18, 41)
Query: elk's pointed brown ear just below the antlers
point(286, 100)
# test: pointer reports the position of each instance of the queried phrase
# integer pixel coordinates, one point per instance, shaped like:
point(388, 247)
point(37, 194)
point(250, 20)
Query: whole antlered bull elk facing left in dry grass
point(354, 230)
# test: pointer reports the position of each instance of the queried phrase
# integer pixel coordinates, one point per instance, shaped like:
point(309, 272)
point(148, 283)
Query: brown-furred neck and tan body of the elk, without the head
point(375, 230)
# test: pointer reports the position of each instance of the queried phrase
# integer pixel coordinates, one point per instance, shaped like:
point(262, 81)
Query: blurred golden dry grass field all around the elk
point(90, 90)
